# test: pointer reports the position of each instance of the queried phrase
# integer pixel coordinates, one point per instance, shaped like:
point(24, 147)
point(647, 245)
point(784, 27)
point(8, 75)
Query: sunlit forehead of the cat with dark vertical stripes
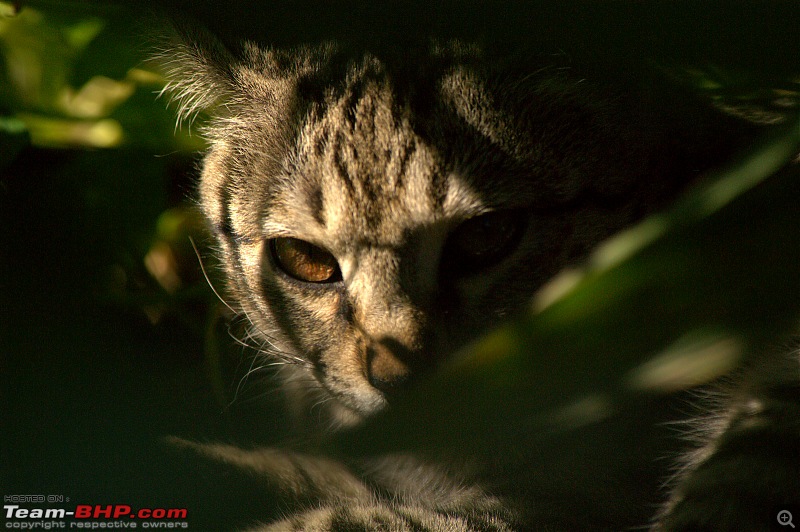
point(362, 168)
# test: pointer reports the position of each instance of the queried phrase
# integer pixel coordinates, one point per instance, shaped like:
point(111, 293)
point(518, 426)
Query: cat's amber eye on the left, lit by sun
point(304, 261)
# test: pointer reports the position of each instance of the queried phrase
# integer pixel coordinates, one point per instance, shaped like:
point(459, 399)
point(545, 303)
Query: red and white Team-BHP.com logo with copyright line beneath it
point(158, 517)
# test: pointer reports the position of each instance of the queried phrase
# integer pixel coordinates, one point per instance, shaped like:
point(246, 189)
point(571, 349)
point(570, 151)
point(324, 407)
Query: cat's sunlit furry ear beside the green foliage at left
point(199, 69)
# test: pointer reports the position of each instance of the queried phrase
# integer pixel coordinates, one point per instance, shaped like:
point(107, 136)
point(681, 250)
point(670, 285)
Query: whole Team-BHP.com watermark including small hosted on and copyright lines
point(59, 512)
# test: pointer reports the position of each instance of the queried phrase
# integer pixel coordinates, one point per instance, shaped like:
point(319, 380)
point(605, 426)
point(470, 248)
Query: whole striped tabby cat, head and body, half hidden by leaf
point(374, 212)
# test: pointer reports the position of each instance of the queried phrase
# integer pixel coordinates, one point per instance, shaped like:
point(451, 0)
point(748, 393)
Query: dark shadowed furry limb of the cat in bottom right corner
point(742, 478)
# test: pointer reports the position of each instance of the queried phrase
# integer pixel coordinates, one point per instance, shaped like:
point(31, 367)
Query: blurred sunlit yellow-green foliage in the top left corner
point(73, 75)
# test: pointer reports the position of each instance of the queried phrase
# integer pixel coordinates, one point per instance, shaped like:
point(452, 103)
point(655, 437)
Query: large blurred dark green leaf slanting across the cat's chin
point(675, 302)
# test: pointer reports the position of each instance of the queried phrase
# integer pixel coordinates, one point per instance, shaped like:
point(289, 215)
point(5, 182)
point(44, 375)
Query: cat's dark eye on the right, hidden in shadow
point(483, 240)
